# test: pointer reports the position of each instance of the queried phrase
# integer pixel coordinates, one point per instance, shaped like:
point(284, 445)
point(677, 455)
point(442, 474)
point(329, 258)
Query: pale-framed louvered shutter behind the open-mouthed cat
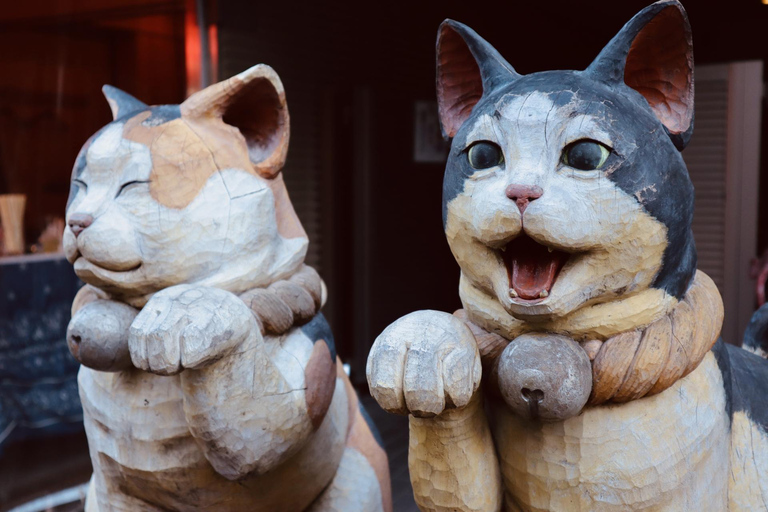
point(723, 162)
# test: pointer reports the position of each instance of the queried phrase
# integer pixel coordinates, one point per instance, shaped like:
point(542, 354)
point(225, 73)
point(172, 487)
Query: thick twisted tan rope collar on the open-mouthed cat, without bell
point(648, 359)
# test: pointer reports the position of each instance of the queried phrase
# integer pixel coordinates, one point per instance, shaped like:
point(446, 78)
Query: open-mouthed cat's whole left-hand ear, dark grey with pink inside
point(467, 67)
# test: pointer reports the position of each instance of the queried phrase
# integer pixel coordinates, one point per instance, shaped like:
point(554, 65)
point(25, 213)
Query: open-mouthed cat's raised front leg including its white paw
point(428, 364)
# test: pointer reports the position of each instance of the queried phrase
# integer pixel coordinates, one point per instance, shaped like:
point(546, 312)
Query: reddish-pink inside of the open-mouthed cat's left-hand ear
point(459, 84)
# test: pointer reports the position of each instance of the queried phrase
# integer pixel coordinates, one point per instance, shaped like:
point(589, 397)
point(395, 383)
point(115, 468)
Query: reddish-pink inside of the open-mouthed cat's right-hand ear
point(660, 67)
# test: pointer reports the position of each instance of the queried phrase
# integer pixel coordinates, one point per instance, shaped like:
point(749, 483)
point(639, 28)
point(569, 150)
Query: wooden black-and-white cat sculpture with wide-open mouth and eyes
point(568, 207)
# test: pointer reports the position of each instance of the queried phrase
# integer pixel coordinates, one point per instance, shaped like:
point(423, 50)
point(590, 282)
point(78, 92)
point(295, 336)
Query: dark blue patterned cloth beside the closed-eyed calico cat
point(38, 376)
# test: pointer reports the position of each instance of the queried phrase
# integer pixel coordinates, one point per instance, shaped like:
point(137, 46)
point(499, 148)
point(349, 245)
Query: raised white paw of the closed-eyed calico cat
point(188, 326)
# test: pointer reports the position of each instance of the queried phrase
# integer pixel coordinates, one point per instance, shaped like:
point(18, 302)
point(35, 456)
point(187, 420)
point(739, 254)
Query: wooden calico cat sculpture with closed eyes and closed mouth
point(210, 379)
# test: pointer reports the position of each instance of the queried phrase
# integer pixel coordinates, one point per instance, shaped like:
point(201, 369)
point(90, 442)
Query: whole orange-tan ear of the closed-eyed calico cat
point(254, 103)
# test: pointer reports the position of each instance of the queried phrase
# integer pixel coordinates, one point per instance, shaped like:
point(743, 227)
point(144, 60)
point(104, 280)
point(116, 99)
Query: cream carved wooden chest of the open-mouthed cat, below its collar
point(666, 452)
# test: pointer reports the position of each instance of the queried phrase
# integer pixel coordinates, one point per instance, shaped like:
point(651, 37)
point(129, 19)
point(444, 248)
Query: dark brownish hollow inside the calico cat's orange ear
point(259, 113)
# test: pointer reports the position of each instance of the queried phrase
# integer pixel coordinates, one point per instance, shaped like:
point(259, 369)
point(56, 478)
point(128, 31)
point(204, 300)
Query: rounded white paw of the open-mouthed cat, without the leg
point(424, 363)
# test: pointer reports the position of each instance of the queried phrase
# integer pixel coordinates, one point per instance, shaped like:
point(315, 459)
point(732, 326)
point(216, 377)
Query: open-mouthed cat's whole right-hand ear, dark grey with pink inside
point(653, 54)
